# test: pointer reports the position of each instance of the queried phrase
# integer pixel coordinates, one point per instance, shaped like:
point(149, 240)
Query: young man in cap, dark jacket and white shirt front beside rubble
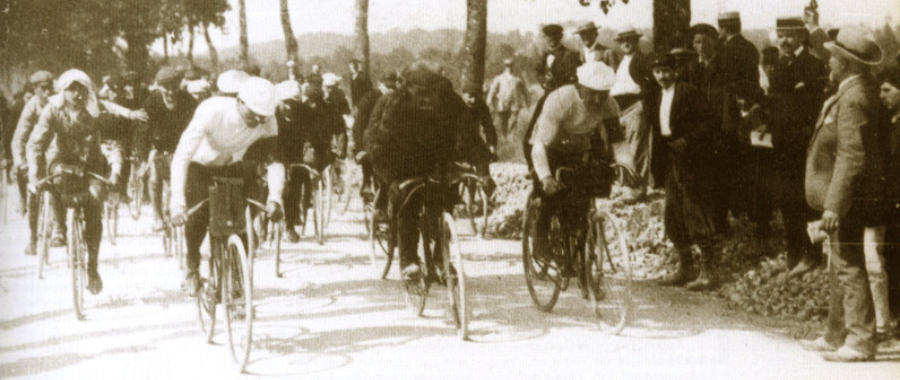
point(682, 158)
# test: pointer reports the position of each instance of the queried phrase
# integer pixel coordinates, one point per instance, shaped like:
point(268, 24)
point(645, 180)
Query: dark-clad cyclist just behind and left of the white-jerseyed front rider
point(169, 111)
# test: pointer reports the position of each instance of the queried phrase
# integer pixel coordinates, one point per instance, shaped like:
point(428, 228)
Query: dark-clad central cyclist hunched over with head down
point(419, 128)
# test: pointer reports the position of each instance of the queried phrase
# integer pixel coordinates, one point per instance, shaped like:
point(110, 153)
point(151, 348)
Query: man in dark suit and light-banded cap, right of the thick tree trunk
point(740, 64)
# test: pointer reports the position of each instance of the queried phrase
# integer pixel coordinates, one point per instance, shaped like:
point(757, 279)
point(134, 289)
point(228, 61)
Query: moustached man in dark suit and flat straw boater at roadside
point(796, 93)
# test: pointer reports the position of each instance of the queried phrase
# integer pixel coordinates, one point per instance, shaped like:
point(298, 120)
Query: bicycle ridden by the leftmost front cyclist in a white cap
point(76, 248)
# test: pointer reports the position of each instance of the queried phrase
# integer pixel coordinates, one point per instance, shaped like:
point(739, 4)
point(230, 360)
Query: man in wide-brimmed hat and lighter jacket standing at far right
point(841, 176)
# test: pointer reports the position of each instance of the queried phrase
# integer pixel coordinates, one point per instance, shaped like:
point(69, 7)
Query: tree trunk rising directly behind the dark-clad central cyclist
point(475, 43)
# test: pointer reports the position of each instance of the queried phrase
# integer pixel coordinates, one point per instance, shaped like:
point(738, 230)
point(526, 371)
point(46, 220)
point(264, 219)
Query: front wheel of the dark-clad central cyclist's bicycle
point(456, 286)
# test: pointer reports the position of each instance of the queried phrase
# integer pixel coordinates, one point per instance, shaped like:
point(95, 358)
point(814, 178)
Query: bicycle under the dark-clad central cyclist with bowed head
point(436, 230)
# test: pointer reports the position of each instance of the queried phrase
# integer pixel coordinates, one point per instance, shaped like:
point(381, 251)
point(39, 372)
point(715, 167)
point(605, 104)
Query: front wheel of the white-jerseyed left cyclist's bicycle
point(238, 296)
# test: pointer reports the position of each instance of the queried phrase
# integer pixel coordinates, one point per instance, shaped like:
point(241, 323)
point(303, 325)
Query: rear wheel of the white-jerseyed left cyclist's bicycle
point(210, 290)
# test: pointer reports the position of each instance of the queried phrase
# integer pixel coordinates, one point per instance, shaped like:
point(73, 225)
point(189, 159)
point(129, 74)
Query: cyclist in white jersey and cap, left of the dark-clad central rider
point(213, 145)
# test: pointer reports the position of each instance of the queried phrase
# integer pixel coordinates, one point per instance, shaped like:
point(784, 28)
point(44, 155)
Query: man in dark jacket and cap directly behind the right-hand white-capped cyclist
point(556, 69)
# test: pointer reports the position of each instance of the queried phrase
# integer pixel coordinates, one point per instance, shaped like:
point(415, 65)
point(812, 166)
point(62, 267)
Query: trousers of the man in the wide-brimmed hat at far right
point(851, 316)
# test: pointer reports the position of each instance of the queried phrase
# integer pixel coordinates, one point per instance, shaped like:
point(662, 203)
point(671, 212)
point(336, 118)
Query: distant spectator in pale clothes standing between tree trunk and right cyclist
point(506, 97)
